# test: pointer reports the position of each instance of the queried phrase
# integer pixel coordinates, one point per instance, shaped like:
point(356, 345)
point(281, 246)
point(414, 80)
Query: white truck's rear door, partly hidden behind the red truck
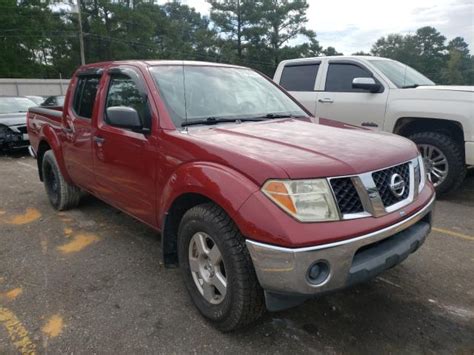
point(299, 78)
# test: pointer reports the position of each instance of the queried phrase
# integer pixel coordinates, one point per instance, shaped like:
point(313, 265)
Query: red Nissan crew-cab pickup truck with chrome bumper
point(256, 203)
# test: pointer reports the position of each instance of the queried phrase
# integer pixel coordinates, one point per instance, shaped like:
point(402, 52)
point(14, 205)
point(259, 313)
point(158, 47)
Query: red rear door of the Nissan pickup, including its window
point(77, 129)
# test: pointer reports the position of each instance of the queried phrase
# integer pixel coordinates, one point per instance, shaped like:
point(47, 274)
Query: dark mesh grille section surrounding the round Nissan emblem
point(382, 181)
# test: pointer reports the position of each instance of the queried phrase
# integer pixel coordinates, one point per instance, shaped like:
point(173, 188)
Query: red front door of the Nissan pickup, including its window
point(124, 160)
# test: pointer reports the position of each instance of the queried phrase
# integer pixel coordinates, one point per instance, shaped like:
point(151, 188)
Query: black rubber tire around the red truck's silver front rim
point(244, 300)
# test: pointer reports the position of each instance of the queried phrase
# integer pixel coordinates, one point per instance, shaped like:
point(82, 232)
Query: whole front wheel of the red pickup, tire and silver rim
point(217, 268)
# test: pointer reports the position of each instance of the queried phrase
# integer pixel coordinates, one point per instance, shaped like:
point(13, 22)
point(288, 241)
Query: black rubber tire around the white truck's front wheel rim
point(454, 154)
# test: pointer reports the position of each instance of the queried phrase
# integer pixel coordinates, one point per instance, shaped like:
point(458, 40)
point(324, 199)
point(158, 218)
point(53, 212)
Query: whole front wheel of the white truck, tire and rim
point(443, 158)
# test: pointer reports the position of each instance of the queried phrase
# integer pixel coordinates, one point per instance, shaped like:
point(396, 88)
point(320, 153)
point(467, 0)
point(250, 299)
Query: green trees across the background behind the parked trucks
point(41, 40)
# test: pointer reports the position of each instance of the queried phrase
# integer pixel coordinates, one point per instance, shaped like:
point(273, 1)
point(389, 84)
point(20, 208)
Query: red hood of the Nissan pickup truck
point(304, 149)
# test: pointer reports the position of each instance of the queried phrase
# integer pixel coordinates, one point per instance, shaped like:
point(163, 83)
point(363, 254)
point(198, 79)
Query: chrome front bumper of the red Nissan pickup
point(282, 269)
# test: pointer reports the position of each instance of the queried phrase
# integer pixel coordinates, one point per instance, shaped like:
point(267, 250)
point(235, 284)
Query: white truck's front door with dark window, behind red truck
point(341, 102)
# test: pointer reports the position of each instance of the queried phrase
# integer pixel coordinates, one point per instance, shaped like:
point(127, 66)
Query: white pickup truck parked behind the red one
point(384, 94)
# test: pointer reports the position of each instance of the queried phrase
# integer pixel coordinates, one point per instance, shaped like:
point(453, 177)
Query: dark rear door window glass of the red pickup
point(84, 96)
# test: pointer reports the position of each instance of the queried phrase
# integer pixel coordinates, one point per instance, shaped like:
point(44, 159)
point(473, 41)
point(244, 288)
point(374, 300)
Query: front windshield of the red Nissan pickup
point(220, 94)
